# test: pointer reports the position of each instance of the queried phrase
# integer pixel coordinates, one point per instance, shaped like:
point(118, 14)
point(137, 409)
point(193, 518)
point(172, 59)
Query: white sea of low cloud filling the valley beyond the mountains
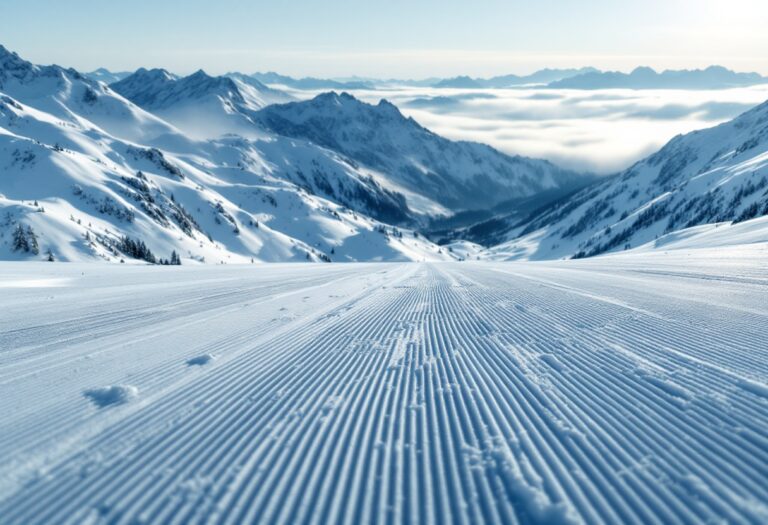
point(601, 131)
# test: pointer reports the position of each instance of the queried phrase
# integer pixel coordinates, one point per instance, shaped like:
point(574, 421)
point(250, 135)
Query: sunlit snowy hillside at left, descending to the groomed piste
point(84, 195)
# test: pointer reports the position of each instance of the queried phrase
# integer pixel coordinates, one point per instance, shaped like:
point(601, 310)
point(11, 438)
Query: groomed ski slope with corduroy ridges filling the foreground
point(622, 389)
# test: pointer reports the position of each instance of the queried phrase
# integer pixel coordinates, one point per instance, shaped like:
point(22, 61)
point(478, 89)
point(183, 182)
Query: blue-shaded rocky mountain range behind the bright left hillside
point(397, 170)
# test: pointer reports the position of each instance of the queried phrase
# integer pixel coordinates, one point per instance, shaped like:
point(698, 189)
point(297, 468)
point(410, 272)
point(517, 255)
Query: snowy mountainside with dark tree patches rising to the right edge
point(707, 180)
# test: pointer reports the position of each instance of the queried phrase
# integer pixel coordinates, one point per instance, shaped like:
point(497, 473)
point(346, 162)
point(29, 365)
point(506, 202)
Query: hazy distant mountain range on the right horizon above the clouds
point(713, 77)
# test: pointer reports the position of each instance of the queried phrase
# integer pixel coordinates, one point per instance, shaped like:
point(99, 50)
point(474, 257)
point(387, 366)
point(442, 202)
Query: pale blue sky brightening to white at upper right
point(393, 38)
